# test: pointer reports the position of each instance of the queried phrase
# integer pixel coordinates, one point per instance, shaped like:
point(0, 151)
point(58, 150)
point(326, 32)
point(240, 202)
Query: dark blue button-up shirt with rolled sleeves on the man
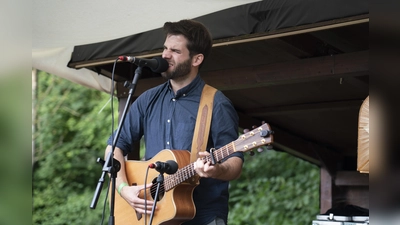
point(167, 121)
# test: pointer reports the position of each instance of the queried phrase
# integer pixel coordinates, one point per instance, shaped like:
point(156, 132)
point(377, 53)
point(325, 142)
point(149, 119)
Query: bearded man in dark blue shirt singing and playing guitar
point(166, 117)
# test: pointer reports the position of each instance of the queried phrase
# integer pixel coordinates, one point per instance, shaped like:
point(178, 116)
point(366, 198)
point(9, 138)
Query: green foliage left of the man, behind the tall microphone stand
point(71, 133)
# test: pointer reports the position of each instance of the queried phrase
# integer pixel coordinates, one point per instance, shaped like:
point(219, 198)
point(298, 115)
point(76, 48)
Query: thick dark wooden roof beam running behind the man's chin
point(301, 70)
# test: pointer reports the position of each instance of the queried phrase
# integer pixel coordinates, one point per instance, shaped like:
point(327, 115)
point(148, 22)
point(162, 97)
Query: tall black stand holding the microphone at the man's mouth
point(112, 165)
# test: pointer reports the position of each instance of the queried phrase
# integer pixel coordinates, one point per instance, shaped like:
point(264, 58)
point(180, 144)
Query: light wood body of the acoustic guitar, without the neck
point(173, 207)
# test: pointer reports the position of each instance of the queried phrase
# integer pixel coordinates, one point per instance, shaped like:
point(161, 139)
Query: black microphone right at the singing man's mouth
point(157, 64)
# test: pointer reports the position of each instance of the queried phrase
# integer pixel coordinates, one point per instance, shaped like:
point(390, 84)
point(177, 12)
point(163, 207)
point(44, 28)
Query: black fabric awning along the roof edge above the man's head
point(239, 22)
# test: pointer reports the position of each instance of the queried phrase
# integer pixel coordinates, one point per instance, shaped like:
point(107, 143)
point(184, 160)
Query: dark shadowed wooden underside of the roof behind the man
point(307, 82)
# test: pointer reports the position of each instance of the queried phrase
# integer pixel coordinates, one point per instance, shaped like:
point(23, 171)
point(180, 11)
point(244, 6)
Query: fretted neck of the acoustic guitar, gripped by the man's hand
point(188, 171)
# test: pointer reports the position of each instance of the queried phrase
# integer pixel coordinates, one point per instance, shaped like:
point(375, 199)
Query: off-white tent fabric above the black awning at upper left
point(60, 25)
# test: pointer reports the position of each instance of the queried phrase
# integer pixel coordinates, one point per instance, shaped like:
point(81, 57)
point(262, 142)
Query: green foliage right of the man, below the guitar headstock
point(274, 188)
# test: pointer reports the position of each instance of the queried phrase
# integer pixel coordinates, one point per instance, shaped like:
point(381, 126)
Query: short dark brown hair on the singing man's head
point(198, 36)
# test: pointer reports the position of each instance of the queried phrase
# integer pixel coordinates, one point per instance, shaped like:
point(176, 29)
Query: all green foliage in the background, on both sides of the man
point(71, 133)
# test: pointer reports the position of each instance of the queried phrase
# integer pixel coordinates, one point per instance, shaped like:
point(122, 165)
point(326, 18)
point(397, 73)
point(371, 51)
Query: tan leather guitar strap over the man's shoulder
point(203, 122)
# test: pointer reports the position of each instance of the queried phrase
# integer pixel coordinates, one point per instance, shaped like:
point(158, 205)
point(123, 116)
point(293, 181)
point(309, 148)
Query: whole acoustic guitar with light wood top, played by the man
point(174, 203)
